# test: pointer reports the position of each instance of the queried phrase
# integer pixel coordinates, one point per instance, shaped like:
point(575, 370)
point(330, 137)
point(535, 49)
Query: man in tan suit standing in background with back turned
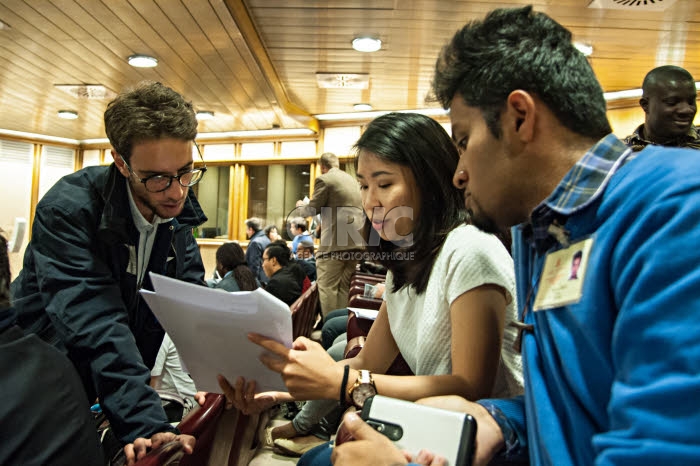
point(337, 198)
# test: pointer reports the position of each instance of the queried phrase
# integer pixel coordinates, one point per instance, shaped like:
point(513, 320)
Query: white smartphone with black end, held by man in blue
point(413, 427)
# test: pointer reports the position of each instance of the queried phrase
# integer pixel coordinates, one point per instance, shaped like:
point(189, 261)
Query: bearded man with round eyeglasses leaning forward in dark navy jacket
point(95, 237)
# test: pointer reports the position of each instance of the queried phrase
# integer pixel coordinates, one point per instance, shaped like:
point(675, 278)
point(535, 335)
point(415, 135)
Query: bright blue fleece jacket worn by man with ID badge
point(615, 377)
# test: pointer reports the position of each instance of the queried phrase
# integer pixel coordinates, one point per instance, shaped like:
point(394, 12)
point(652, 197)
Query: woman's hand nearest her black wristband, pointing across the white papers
point(308, 371)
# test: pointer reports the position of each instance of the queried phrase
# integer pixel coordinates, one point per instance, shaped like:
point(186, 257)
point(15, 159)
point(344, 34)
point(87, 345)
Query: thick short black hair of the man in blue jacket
point(515, 49)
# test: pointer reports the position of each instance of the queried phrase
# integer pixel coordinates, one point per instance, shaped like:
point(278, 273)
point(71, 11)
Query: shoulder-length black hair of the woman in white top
point(421, 144)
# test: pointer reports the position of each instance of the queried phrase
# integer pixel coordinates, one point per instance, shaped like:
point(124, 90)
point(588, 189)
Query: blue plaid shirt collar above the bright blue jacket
point(581, 186)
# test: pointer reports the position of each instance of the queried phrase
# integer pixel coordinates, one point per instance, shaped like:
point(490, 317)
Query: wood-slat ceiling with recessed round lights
point(254, 62)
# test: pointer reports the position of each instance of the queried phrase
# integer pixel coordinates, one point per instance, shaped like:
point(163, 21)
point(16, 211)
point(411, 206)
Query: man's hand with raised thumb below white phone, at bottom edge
point(371, 447)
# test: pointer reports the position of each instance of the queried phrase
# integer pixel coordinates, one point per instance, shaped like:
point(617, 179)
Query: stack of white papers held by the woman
point(209, 328)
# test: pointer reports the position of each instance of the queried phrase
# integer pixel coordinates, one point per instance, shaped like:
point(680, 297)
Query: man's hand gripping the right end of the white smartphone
point(489, 438)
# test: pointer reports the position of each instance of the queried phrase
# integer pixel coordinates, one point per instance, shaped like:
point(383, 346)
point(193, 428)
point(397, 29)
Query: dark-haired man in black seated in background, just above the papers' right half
point(285, 279)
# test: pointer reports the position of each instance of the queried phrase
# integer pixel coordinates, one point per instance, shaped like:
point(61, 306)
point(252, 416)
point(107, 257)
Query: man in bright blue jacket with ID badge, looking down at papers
point(611, 359)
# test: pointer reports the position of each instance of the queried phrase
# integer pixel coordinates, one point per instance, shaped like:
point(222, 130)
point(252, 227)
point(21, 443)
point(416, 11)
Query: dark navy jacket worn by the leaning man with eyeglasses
point(75, 290)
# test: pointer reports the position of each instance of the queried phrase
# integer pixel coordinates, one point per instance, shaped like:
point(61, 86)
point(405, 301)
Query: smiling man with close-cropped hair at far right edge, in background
point(669, 103)
